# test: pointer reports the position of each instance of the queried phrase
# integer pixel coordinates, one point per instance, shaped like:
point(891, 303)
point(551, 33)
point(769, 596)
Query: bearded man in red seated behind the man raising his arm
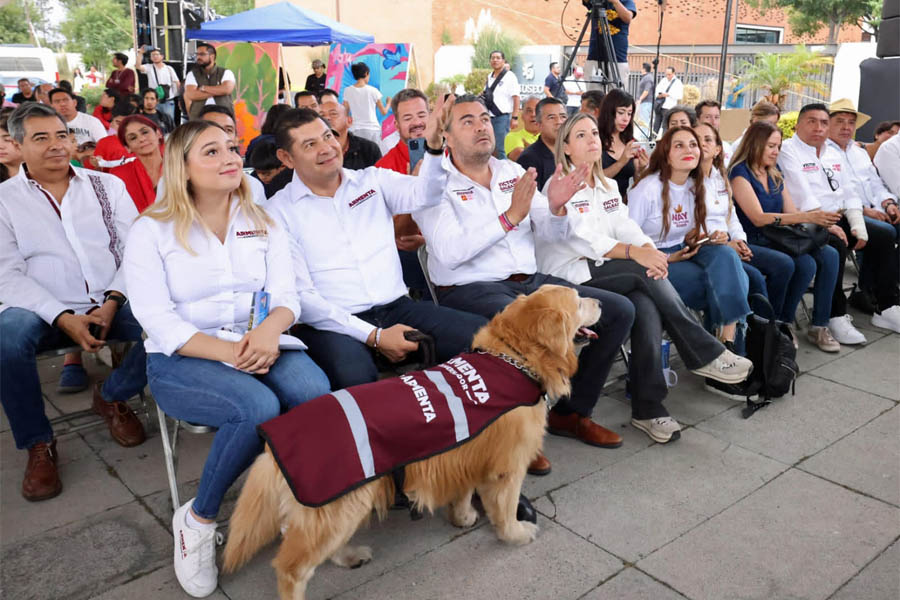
point(410, 107)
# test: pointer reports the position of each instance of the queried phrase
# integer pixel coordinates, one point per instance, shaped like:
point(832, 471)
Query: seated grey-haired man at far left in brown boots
point(62, 231)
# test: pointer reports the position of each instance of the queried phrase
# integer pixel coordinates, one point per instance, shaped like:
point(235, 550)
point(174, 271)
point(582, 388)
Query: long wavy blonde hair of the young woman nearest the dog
point(176, 203)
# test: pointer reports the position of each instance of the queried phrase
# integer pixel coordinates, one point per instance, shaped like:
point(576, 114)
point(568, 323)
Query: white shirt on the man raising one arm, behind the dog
point(343, 248)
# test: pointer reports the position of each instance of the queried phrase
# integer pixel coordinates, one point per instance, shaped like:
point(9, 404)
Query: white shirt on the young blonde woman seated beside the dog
point(176, 294)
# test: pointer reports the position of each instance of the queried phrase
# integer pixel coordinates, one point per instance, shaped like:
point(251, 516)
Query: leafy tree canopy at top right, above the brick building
point(810, 16)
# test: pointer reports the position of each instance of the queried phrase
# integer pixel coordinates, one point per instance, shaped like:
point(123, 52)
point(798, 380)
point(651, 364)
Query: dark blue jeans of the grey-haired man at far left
point(23, 335)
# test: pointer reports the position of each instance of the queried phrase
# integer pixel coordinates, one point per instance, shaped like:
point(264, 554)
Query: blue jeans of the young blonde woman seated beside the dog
point(208, 392)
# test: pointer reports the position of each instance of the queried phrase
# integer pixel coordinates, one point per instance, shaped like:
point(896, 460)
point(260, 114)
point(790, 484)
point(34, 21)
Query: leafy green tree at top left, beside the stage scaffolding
point(97, 29)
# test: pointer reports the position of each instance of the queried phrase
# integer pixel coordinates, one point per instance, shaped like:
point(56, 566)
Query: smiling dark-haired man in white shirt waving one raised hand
point(342, 242)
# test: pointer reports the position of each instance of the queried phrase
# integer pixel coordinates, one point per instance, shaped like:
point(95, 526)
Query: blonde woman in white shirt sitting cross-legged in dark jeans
point(607, 250)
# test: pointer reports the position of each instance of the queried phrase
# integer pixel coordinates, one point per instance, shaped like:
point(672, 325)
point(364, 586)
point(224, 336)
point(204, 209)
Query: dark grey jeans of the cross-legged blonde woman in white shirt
point(656, 306)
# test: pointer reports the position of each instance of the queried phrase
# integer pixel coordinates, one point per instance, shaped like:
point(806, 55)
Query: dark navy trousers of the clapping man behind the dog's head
point(595, 360)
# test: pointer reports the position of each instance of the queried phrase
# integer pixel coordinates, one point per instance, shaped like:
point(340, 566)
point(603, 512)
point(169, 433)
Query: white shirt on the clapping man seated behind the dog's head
point(465, 240)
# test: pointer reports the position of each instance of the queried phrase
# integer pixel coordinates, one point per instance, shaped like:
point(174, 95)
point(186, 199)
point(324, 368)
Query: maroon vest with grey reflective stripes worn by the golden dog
point(337, 442)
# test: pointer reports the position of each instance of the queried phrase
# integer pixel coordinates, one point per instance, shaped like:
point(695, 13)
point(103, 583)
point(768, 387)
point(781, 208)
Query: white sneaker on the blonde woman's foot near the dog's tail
point(195, 555)
